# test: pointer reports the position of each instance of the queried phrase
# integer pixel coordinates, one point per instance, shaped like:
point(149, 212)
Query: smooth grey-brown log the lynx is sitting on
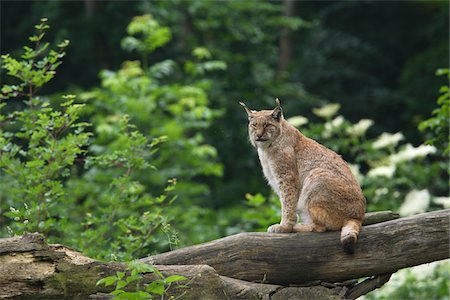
point(382, 248)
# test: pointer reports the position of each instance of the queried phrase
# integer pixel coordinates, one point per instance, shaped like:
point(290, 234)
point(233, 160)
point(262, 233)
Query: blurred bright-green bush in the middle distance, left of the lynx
point(163, 108)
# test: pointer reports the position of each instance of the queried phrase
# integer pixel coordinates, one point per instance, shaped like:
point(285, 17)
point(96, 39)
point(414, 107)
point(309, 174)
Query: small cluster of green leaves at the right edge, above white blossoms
point(439, 124)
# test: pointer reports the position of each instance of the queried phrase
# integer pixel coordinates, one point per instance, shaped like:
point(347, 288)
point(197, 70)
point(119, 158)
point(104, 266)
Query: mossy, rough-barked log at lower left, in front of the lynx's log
point(31, 269)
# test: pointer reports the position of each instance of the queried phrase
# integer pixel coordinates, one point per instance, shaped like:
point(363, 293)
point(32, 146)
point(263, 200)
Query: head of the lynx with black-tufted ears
point(264, 126)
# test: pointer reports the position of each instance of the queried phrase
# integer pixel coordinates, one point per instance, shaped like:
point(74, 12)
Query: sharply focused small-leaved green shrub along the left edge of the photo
point(39, 144)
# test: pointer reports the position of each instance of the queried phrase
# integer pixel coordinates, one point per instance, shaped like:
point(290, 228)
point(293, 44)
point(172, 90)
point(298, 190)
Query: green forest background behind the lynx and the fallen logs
point(135, 144)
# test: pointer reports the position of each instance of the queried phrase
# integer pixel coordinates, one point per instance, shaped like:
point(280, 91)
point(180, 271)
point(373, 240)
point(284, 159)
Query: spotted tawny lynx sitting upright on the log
point(310, 179)
